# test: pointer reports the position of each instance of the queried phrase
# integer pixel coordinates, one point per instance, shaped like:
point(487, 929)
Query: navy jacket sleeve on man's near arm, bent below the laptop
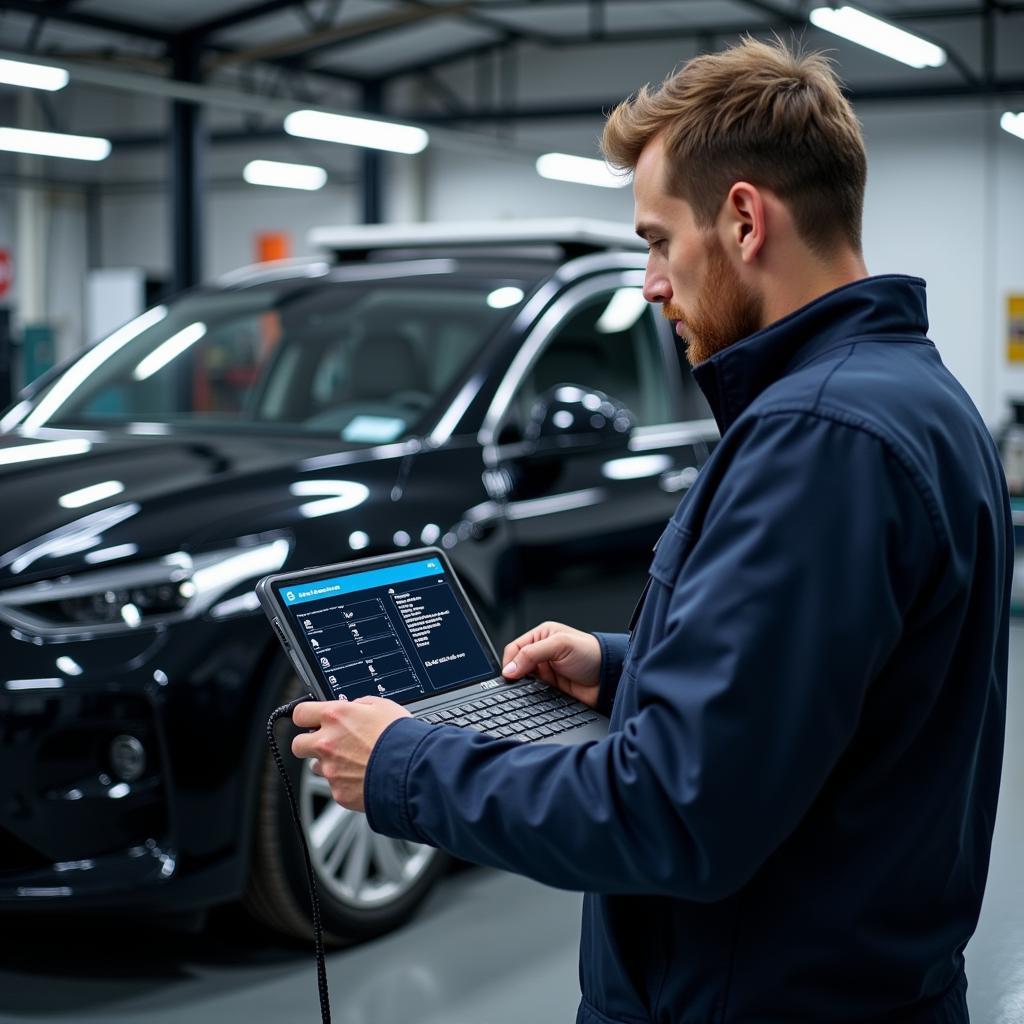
point(784, 612)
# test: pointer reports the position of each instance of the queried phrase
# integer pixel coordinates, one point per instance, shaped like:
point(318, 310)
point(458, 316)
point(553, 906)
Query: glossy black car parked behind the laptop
point(520, 405)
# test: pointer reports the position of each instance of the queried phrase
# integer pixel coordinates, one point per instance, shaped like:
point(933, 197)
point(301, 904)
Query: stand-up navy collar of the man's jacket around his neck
point(890, 305)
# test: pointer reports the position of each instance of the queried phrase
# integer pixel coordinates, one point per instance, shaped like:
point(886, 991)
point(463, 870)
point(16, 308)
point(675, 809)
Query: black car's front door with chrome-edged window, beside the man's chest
point(584, 517)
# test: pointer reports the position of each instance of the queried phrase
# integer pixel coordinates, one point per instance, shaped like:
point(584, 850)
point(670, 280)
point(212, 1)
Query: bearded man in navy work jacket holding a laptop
point(791, 819)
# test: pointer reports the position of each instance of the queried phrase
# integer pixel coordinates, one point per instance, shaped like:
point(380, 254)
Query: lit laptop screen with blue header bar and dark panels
point(396, 631)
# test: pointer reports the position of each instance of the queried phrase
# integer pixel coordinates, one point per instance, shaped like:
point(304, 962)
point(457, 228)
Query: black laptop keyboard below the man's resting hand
point(534, 711)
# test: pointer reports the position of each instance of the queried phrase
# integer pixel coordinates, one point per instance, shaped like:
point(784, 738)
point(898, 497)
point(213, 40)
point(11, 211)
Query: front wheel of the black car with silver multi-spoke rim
point(368, 884)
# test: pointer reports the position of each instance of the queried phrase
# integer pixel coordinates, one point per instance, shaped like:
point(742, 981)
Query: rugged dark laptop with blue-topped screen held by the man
point(401, 627)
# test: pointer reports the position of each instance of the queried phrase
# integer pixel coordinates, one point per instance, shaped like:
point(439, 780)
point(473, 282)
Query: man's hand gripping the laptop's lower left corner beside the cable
point(346, 736)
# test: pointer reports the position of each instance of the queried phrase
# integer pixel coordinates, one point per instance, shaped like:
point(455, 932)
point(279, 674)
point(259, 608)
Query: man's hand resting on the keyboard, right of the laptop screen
point(563, 657)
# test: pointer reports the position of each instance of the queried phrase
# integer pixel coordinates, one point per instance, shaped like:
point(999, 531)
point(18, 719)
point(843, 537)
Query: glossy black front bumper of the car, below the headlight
point(73, 832)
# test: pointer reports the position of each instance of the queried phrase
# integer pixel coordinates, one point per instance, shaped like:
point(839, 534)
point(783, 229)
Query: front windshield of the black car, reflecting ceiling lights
point(368, 362)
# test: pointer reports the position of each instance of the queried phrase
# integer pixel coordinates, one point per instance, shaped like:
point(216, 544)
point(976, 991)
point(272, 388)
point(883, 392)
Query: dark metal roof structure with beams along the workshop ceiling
point(286, 46)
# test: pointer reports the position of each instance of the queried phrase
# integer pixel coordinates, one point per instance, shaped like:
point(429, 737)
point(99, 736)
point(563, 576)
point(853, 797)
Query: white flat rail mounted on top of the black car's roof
point(574, 236)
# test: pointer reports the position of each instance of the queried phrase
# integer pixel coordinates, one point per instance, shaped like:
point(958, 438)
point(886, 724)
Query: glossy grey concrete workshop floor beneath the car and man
point(488, 949)
